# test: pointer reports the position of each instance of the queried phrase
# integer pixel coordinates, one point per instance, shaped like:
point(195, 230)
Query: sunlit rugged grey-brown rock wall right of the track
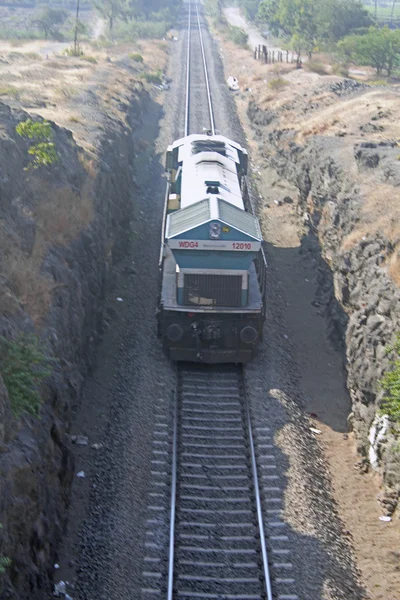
point(361, 298)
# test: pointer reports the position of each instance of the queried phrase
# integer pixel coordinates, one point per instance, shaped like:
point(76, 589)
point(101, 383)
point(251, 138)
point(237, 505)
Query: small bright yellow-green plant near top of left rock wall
point(43, 150)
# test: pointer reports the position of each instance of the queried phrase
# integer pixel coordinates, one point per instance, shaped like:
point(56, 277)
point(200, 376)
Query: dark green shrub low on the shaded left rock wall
point(23, 366)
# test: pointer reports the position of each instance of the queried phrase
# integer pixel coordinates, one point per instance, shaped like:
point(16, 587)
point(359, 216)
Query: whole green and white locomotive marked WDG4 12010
point(212, 265)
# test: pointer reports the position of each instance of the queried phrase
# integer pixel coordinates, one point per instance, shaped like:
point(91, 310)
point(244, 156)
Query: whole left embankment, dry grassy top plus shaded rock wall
point(63, 228)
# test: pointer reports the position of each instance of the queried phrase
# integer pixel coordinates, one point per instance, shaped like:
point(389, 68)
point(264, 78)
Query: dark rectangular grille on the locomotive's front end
point(212, 290)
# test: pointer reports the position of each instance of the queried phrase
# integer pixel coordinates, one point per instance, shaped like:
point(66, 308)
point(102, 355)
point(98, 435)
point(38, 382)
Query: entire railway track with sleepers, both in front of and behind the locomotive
point(209, 484)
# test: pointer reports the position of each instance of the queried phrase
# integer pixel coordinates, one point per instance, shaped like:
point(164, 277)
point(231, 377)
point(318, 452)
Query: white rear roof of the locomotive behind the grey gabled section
point(207, 172)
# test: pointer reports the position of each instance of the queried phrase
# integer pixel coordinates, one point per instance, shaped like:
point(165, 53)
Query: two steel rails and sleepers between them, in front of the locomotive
point(217, 539)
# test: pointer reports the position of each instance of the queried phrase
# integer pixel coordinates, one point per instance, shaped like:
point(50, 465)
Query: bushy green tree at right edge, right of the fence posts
point(379, 48)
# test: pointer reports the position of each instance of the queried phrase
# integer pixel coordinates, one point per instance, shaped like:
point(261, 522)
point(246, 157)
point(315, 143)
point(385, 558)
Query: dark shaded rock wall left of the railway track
point(35, 465)
